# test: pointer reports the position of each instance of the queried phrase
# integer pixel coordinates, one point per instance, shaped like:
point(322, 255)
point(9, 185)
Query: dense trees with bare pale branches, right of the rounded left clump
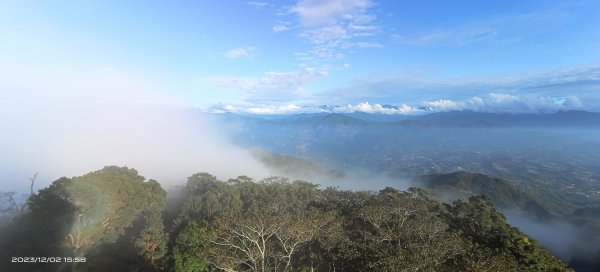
point(276, 225)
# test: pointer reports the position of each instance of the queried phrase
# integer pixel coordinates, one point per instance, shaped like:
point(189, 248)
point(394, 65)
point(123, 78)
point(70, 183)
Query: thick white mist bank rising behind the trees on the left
point(73, 123)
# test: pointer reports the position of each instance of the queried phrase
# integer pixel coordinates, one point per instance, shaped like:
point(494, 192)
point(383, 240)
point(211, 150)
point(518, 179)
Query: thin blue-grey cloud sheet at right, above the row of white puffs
point(583, 81)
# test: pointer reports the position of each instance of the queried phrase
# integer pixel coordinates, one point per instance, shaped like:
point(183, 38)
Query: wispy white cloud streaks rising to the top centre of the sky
point(329, 26)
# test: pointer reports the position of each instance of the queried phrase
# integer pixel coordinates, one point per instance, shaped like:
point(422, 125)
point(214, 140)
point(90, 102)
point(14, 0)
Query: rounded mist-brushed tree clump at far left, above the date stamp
point(92, 216)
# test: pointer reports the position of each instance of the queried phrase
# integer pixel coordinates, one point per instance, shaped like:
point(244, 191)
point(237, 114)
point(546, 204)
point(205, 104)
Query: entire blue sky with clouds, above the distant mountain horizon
point(291, 56)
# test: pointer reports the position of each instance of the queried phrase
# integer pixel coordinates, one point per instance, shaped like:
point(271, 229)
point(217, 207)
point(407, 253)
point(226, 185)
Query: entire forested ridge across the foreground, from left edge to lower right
point(118, 221)
